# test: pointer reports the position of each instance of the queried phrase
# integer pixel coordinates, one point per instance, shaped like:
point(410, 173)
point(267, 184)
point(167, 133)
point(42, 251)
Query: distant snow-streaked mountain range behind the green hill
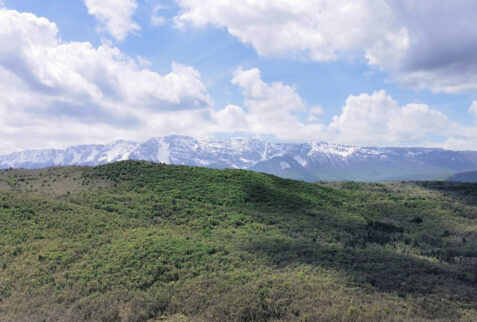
point(305, 161)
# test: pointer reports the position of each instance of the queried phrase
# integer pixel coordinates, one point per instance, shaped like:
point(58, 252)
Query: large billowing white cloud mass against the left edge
point(54, 93)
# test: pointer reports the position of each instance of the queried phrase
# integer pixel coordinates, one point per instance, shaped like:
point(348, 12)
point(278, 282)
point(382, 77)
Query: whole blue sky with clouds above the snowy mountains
point(355, 72)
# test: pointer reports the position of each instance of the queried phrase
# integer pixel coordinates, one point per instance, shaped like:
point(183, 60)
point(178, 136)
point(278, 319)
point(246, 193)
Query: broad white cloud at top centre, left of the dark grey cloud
point(312, 29)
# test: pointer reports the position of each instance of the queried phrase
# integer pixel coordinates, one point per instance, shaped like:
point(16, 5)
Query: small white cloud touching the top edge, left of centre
point(115, 16)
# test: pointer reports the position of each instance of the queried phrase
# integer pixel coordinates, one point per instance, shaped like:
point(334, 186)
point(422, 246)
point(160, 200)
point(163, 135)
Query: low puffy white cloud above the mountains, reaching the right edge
point(377, 119)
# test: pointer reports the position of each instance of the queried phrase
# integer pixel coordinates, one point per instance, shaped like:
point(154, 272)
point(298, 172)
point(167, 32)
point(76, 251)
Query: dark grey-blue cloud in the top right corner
point(441, 53)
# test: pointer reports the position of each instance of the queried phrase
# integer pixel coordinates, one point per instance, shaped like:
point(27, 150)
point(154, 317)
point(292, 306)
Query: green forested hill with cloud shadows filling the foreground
point(135, 241)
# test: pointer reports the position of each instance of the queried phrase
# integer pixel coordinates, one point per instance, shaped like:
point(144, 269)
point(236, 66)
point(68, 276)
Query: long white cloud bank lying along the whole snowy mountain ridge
point(55, 93)
